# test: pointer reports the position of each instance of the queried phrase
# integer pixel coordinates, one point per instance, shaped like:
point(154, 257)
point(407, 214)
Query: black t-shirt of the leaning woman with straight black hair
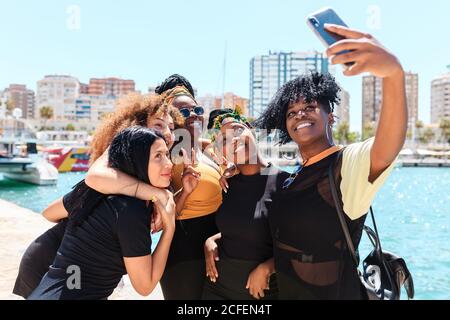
point(118, 227)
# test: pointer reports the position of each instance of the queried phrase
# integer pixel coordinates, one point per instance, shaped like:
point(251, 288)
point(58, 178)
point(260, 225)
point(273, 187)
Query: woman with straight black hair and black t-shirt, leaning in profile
point(109, 236)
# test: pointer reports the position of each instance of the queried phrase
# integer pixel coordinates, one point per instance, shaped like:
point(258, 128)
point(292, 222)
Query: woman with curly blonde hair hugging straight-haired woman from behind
point(132, 110)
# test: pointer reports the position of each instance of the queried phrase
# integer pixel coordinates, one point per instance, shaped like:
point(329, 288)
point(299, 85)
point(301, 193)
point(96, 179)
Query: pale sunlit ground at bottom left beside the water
point(18, 228)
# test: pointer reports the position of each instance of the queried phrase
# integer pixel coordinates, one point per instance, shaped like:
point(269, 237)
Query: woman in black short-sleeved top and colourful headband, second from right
point(239, 259)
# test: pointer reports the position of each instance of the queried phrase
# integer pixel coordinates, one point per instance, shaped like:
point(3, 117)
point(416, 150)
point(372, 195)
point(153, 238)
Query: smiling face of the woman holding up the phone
point(307, 123)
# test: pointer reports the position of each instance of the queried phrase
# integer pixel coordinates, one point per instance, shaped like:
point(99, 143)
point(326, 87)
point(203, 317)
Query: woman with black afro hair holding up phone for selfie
point(311, 258)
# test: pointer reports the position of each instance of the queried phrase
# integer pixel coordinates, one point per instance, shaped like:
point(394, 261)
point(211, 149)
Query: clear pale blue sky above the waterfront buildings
point(148, 40)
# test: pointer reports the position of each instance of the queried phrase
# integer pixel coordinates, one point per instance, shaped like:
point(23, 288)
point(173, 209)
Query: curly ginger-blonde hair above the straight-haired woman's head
point(133, 109)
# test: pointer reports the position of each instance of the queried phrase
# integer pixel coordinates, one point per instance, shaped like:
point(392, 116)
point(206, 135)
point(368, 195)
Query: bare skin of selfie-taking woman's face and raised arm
point(367, 55)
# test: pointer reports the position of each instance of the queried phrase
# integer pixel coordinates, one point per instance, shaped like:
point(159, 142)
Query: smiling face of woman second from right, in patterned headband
point(237, 143)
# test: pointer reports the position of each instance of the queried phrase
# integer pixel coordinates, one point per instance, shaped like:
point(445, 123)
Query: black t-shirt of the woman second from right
point(242, 218)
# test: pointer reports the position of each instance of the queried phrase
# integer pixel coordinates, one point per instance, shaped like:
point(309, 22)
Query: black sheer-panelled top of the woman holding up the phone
point(310, 253)
